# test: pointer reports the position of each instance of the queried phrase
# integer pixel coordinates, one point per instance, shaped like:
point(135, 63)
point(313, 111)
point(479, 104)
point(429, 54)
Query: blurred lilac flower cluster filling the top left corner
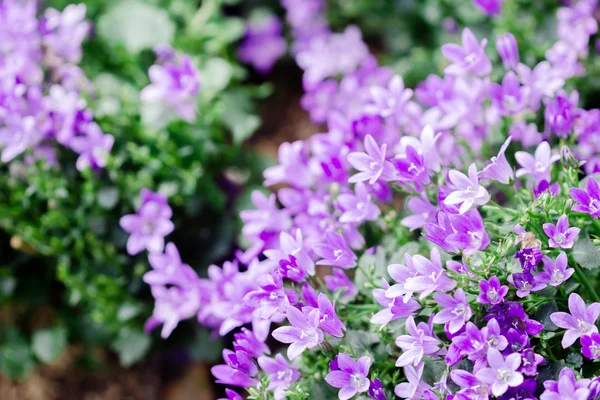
point(42, 89)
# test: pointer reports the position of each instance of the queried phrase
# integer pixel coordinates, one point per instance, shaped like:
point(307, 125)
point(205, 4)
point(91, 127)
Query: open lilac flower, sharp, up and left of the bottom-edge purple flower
point(304, 332)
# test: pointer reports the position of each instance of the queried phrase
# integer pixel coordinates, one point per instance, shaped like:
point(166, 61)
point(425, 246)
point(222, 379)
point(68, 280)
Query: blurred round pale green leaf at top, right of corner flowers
point(136, 25)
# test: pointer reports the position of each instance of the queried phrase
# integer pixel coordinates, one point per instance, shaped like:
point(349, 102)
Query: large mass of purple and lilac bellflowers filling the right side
point(499, 226)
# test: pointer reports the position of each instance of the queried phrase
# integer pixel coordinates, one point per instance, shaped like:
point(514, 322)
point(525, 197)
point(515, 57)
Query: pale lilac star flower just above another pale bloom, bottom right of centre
point(416, 344)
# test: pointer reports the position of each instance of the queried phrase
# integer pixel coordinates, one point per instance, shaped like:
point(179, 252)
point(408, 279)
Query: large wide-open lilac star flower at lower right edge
point(580, 322)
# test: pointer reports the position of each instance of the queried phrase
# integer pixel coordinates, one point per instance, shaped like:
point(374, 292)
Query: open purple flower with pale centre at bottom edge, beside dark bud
point(351, 376)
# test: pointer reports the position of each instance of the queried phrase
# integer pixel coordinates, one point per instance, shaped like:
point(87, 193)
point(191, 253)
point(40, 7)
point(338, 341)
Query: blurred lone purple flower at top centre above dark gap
point(262, 45)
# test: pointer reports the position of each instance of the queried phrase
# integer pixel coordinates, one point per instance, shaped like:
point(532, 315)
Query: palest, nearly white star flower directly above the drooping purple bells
point(467, 190)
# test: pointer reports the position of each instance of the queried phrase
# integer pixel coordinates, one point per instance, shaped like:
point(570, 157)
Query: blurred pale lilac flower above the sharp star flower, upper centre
point(390, 101)
